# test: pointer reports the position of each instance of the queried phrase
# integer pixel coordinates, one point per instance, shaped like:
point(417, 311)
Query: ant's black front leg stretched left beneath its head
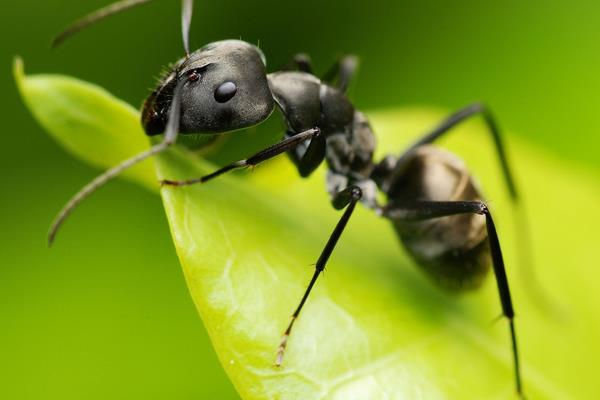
point(263, 155)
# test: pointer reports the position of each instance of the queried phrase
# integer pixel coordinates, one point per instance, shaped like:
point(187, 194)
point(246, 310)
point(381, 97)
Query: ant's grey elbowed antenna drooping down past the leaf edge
point(170, 136)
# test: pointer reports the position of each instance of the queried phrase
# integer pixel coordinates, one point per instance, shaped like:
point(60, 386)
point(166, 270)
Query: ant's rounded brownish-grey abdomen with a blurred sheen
point(454, 249)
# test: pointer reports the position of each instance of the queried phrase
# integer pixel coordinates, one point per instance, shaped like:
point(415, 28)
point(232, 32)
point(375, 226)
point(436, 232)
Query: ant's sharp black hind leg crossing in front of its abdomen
point(423, 210)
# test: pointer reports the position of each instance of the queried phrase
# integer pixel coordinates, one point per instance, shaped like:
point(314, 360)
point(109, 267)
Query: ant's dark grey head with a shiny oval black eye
point(225, 89)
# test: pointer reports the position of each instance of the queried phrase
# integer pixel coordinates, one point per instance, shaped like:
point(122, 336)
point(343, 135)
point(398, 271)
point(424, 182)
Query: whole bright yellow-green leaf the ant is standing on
point(374, 327)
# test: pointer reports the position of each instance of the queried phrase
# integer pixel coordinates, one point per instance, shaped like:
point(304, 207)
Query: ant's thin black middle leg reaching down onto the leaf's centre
point(344, 198)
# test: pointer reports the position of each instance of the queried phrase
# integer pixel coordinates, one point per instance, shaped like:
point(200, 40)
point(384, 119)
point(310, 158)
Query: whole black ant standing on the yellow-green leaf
point(431, 198)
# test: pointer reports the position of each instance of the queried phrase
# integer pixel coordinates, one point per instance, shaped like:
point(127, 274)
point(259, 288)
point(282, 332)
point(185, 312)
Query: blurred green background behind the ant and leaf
point(106, 313)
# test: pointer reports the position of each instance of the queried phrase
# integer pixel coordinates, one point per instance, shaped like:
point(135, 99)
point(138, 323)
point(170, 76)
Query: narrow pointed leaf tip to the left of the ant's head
point(86, 120)
